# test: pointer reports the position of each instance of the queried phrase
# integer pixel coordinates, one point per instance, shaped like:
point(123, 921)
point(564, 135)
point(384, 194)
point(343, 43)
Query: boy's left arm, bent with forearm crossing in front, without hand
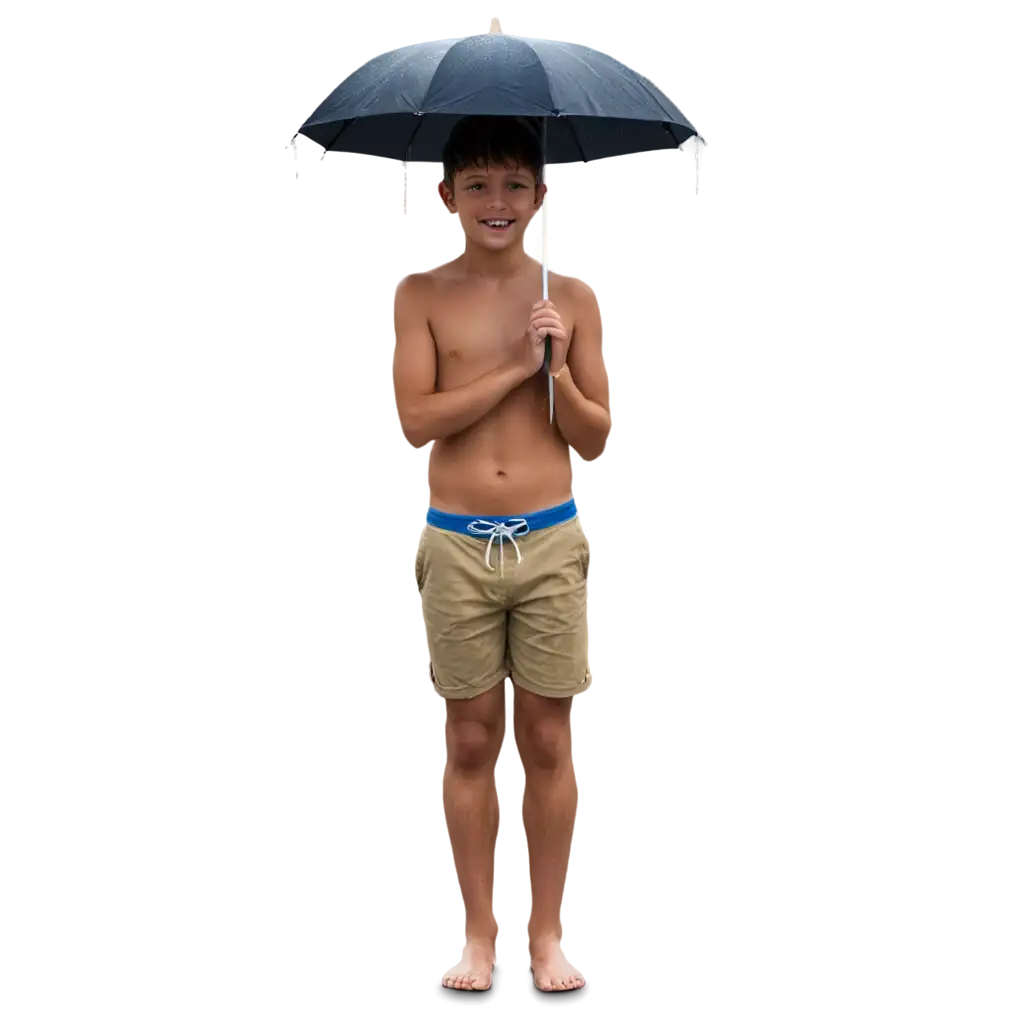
point(423, 415)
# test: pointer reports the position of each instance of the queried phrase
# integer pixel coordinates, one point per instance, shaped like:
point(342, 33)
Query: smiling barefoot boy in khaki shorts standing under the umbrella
point(502, 566)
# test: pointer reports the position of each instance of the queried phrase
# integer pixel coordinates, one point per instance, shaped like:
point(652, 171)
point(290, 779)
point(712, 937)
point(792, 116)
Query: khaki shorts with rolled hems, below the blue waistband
point(526, 620)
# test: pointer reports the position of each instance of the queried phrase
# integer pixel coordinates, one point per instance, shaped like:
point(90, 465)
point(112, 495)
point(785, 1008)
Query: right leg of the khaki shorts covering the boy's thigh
point(548, 645)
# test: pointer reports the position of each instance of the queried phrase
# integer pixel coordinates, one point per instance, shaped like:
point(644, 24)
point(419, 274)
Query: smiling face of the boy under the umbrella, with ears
point(494, 206)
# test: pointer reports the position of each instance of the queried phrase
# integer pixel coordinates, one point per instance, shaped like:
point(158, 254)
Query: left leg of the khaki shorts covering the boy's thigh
point(464, 620)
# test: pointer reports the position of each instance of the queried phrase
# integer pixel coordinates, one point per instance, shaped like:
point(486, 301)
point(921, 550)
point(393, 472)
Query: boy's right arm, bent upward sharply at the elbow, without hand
point(582, 387)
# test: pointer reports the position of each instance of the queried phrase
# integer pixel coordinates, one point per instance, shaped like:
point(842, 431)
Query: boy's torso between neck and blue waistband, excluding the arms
point(514, 461)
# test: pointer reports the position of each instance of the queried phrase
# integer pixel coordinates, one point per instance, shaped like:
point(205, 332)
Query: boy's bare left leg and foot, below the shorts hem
point(470, 809)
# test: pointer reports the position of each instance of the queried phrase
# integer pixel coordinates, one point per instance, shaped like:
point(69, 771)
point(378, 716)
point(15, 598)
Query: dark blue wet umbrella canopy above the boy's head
point(403, 104)
